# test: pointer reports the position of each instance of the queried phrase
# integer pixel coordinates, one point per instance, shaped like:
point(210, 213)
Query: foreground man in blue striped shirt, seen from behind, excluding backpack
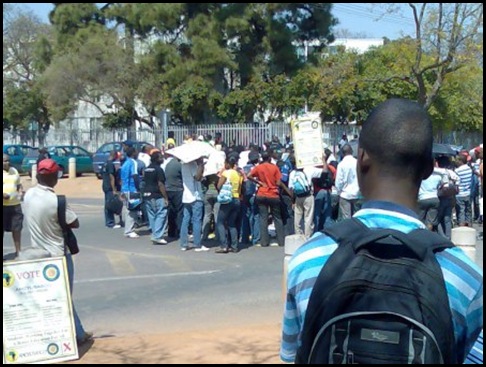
point(389, 172)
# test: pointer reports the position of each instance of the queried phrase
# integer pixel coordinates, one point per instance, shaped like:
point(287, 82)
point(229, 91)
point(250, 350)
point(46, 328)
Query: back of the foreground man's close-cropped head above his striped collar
point(395, 145)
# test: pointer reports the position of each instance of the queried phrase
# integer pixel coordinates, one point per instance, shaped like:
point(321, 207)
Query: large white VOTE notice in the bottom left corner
point(38, 325)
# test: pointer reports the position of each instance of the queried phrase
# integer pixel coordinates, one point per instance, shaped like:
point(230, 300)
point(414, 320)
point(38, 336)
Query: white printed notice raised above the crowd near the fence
point(307, 138)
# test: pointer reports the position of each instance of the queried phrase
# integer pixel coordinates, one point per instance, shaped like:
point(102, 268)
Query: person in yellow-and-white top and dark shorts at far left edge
point(12, 210)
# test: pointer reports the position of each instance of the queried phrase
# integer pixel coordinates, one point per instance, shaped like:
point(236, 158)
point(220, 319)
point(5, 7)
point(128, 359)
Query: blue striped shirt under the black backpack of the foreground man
point(463, 278)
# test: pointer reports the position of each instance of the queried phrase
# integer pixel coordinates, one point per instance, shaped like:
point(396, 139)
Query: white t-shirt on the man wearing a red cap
point(40, 211)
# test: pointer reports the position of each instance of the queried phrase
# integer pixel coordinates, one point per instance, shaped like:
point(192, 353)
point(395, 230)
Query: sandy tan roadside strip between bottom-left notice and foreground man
point(257, 345)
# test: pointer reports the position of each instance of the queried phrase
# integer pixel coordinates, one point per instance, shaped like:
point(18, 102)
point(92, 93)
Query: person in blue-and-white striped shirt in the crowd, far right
point(463, 198)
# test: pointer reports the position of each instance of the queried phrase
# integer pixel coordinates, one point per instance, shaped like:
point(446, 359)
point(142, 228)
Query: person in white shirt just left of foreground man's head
point(347, 184)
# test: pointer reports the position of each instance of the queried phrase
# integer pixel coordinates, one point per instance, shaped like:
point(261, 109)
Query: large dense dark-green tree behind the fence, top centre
point(187, 57)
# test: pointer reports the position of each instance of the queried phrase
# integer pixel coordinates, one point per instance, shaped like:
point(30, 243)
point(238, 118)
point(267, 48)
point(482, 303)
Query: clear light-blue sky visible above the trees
point(359, 18)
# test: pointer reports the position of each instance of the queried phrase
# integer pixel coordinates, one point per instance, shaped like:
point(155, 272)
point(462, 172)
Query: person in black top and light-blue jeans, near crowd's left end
point(155, 197)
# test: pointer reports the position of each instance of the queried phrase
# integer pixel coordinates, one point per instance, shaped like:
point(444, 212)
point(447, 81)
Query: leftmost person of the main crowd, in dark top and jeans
point(111, 187)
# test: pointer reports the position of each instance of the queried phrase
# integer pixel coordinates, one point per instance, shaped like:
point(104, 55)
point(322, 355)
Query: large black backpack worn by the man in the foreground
point(370, 306)
